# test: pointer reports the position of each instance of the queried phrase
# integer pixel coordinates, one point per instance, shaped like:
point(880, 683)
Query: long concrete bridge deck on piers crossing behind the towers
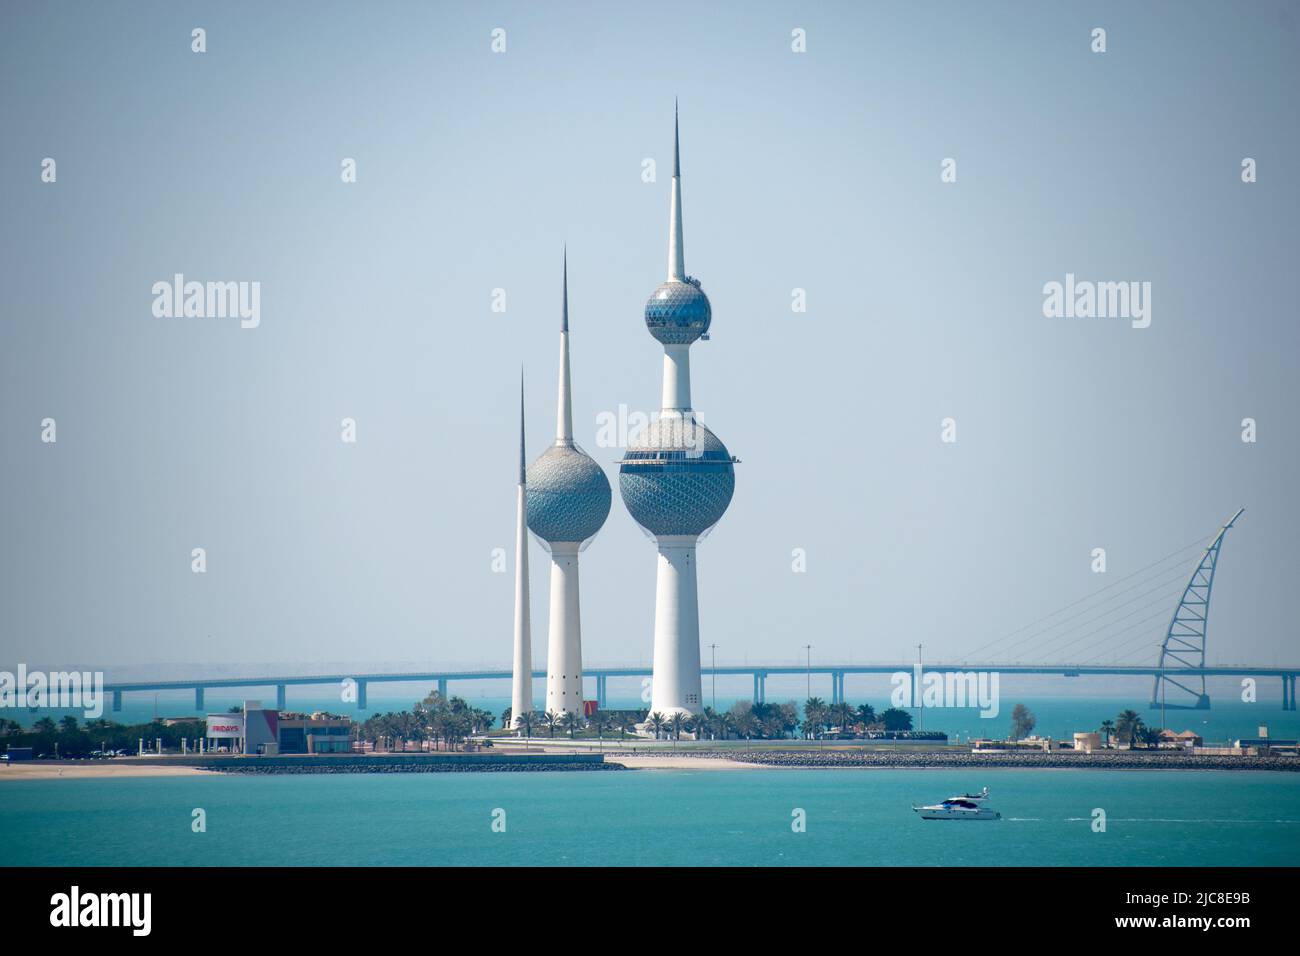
point(441, 680)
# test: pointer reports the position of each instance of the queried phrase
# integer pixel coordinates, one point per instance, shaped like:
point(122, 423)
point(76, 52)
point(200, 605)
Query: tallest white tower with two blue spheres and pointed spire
point(677, 479)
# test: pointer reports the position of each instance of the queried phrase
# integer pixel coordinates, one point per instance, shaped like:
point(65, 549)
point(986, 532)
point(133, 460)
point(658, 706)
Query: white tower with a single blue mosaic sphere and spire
point(567, 501)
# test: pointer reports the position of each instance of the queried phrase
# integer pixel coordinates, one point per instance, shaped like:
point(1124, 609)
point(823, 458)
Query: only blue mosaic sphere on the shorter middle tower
point(569, 495)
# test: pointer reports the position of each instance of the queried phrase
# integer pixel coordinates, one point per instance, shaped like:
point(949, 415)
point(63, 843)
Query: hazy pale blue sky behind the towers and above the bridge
point(817, 171)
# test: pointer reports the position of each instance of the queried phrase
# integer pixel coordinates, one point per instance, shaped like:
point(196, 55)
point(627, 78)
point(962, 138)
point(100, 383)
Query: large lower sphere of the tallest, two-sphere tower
point(677, 478)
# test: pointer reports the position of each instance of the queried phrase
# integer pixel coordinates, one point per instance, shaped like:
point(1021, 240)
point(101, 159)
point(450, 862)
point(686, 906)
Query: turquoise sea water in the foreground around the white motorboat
point(656, 817)
